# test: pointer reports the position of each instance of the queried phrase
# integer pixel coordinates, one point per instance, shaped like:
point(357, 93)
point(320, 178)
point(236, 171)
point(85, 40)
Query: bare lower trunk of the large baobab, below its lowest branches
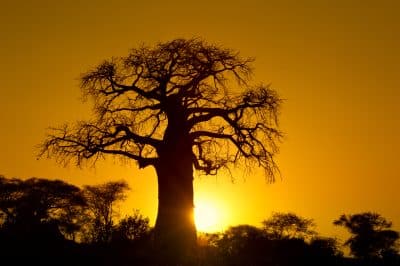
point(175, 232)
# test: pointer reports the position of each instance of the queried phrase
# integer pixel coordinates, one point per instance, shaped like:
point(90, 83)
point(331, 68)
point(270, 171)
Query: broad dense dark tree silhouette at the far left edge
point(40, 208)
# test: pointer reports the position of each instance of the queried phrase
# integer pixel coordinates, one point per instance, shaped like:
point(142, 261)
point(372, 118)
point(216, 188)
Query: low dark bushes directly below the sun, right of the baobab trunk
point(249, 245)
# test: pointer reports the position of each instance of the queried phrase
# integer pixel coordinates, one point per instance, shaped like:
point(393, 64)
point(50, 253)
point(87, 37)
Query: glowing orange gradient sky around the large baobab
point(335, 62)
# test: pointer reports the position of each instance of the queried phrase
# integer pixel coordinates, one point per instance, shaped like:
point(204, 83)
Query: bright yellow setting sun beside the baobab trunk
point(207, 217)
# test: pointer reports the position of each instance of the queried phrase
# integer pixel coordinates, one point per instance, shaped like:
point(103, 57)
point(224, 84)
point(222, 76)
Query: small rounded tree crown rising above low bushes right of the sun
point(288, 225)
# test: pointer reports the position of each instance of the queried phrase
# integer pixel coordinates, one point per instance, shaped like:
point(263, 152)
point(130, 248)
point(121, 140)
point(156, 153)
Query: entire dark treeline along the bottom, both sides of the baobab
point(51, 222)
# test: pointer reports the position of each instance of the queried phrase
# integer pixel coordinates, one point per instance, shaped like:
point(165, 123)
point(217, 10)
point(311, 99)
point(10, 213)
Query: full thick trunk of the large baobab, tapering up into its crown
point(175, 231)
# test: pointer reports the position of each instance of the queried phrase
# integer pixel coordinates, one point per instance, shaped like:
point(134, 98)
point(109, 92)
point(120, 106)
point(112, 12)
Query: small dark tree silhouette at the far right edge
point(371, 235)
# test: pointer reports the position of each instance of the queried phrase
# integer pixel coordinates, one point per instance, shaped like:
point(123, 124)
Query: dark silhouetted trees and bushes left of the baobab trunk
point(46, 220)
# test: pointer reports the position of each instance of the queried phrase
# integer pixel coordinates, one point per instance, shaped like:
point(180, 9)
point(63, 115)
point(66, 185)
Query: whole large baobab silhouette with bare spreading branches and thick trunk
point(175, 106)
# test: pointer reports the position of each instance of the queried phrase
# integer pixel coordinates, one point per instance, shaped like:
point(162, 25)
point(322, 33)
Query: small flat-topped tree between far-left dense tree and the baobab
point(102, 200)
